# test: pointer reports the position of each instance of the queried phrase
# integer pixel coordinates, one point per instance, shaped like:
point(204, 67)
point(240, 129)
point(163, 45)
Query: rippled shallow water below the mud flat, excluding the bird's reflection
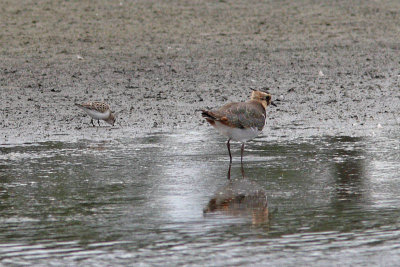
point(331, 200)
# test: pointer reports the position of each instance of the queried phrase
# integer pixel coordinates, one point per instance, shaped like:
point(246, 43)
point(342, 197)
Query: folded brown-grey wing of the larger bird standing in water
point(241, 115)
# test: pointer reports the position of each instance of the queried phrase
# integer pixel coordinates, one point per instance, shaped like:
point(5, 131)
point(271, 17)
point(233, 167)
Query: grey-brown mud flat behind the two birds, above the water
point(333, 66)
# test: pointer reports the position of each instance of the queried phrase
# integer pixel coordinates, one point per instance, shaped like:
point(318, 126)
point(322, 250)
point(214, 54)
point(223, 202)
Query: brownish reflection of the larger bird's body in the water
point(240, 197)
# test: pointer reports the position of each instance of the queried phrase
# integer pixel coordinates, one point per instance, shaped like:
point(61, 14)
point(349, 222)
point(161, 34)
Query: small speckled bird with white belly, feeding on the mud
point(98, 111)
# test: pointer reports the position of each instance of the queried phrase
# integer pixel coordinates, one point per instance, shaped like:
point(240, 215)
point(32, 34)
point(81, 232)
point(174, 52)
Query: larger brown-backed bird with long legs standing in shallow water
point(240, 121)
